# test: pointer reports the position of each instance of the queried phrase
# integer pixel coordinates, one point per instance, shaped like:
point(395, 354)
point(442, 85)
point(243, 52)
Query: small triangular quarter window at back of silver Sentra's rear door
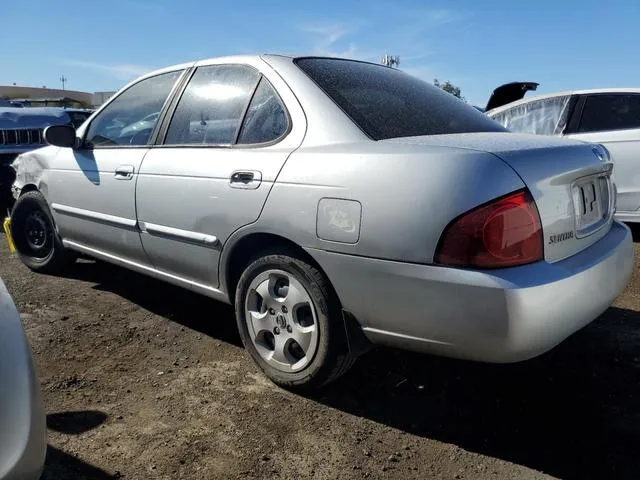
point(266, 119)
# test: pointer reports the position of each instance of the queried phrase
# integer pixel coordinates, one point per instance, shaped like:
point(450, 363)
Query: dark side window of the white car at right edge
point(603, 113)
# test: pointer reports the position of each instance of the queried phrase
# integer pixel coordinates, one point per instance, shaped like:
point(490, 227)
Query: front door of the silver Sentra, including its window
point(92, 188)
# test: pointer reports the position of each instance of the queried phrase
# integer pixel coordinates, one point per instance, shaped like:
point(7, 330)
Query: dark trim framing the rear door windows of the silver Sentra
point(169, 114)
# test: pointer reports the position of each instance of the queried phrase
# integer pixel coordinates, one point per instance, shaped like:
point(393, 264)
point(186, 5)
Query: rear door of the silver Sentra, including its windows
point(227, 140)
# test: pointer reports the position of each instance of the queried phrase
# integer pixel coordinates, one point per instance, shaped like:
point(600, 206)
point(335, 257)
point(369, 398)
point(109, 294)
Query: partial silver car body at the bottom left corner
point(23, 431)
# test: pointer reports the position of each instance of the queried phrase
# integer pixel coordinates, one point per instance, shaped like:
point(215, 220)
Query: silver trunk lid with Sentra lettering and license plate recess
point(570, 184)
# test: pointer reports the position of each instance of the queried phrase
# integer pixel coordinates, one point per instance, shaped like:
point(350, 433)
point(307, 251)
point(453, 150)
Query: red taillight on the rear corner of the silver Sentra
point(503, 233)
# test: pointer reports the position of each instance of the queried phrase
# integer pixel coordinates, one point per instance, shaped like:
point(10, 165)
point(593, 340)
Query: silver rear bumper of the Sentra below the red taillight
point(501, 316)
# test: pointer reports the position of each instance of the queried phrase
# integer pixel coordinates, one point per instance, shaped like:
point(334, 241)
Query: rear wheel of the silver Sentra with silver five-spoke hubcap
point(290, 322)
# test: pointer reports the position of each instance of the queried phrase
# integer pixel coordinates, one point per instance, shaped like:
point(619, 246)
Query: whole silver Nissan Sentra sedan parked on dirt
point(336, 204)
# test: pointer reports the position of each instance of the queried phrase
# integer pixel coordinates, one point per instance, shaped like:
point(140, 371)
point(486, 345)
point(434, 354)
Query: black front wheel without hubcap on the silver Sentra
point(35, 236)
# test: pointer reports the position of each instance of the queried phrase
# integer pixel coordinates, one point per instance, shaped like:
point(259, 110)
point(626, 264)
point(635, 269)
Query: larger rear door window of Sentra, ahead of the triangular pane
point(212, 106)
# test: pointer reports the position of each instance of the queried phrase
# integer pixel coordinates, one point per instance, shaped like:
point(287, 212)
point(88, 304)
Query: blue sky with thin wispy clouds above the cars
point(476, 44)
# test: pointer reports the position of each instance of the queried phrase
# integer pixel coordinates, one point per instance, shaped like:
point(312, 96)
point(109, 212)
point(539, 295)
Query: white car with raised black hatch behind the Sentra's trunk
point(610, 117)
